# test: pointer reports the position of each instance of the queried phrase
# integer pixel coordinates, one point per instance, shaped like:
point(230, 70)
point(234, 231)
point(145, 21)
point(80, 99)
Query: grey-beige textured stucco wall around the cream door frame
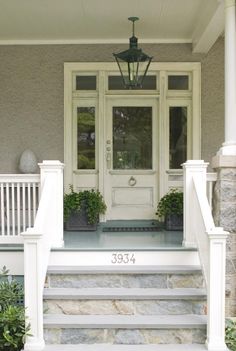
point(31, 95)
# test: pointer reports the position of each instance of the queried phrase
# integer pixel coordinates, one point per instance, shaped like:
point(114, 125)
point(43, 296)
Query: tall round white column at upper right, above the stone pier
point(229, 146)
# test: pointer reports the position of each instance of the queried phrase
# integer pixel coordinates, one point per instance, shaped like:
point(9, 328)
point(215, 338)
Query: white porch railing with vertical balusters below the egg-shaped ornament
point(19, 194)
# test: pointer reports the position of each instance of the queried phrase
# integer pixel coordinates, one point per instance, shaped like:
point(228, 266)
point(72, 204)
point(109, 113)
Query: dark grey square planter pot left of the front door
point(78, 222)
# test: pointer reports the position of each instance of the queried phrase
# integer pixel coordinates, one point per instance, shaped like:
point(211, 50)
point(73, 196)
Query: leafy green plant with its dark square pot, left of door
point(82, 209)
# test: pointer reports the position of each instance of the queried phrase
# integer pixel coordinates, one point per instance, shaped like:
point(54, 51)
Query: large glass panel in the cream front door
point(132, 137)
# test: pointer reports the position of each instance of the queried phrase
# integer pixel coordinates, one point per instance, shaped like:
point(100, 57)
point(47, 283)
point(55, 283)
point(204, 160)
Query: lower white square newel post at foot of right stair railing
point(216, 291)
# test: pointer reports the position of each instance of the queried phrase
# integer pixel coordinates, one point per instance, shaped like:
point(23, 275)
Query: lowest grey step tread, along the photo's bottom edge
point(106, 347)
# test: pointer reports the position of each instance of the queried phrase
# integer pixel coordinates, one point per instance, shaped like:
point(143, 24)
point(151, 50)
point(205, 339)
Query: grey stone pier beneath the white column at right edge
point(225, 216)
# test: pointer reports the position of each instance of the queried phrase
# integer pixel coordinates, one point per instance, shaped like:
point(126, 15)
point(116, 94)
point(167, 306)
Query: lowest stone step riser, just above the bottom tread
point(125, 336)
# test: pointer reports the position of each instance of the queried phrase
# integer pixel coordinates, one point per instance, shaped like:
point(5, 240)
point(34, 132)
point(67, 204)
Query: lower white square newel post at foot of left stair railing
point(33, 289)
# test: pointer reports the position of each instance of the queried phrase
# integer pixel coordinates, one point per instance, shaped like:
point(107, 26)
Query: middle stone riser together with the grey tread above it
point(127, 301)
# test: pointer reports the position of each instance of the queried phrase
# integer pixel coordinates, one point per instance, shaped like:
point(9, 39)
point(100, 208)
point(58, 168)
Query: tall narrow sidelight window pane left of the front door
point(86, 137)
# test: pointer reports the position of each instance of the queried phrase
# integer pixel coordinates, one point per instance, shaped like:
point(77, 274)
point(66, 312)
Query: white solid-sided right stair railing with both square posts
point(200, 231)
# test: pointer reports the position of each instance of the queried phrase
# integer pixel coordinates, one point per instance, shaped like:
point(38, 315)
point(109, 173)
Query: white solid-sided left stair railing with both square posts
point(47, 232)
